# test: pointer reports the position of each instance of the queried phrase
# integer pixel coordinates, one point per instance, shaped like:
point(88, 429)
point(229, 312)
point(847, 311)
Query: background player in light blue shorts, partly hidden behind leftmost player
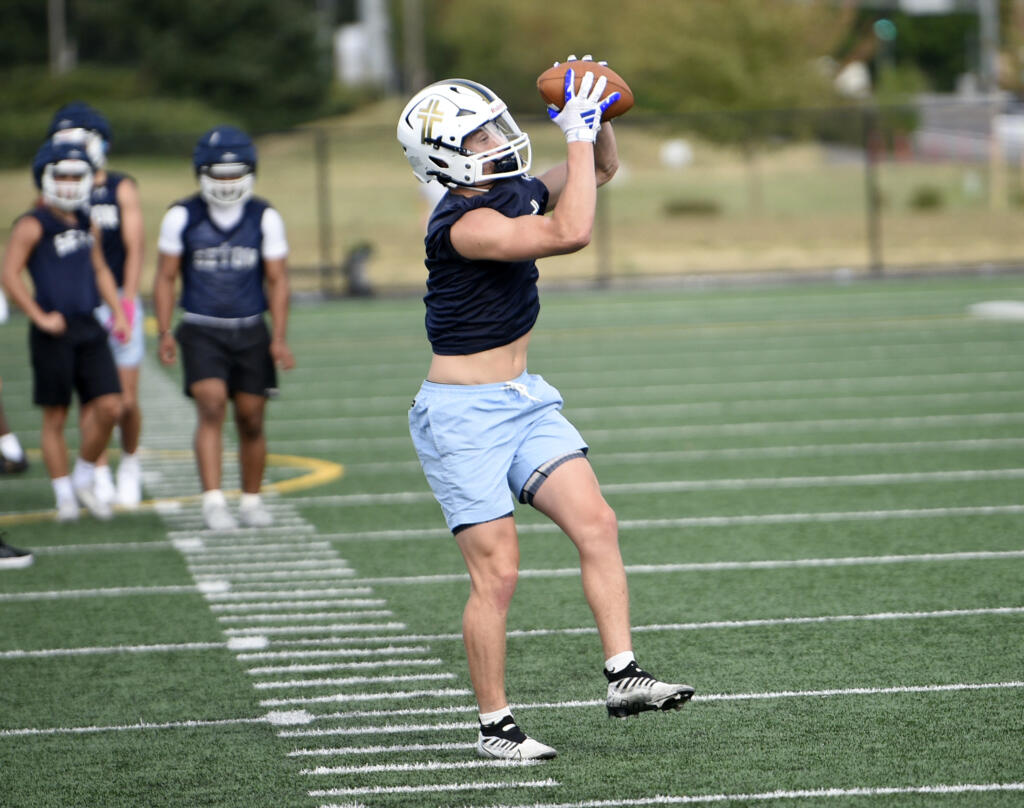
point(115, 209)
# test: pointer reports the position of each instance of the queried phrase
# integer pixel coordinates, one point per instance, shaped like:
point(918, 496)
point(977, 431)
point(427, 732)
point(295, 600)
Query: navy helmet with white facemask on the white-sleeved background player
point(225, 160)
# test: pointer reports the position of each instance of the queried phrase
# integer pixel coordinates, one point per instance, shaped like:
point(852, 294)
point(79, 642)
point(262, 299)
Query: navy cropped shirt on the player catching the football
point(479, 306)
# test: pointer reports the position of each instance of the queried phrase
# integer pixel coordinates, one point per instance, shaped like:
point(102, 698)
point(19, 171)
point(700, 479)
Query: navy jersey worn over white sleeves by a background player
point(223, 271)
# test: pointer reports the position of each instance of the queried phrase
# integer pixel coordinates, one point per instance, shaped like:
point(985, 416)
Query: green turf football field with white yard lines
point(820, 496)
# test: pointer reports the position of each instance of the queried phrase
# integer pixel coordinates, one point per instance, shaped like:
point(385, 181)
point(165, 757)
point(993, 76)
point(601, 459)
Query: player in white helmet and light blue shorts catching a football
point(486, 431)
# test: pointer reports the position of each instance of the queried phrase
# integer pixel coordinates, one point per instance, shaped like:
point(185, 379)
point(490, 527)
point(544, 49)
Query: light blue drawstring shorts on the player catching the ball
point(480, 444)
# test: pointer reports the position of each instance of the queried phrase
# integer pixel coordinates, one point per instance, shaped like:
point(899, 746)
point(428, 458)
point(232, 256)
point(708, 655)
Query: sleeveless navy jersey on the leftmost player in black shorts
point(61, 266)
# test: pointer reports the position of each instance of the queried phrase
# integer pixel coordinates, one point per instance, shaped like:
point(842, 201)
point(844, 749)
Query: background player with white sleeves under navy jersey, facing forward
point(227, 245)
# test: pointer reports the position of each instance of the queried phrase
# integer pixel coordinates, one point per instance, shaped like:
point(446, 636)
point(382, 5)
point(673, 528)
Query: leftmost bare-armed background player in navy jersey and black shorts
point(61, 250)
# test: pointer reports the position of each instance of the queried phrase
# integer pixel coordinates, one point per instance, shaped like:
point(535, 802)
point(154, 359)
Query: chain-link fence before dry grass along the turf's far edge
point(852, 192)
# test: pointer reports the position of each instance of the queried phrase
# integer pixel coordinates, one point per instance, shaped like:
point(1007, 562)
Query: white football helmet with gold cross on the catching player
point(436, 122)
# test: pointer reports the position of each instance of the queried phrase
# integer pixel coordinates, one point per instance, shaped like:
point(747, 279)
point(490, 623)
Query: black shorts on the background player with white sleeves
point(241, 357)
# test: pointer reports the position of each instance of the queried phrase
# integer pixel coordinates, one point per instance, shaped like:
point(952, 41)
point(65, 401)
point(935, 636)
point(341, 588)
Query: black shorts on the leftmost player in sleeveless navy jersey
point(79, 360)
